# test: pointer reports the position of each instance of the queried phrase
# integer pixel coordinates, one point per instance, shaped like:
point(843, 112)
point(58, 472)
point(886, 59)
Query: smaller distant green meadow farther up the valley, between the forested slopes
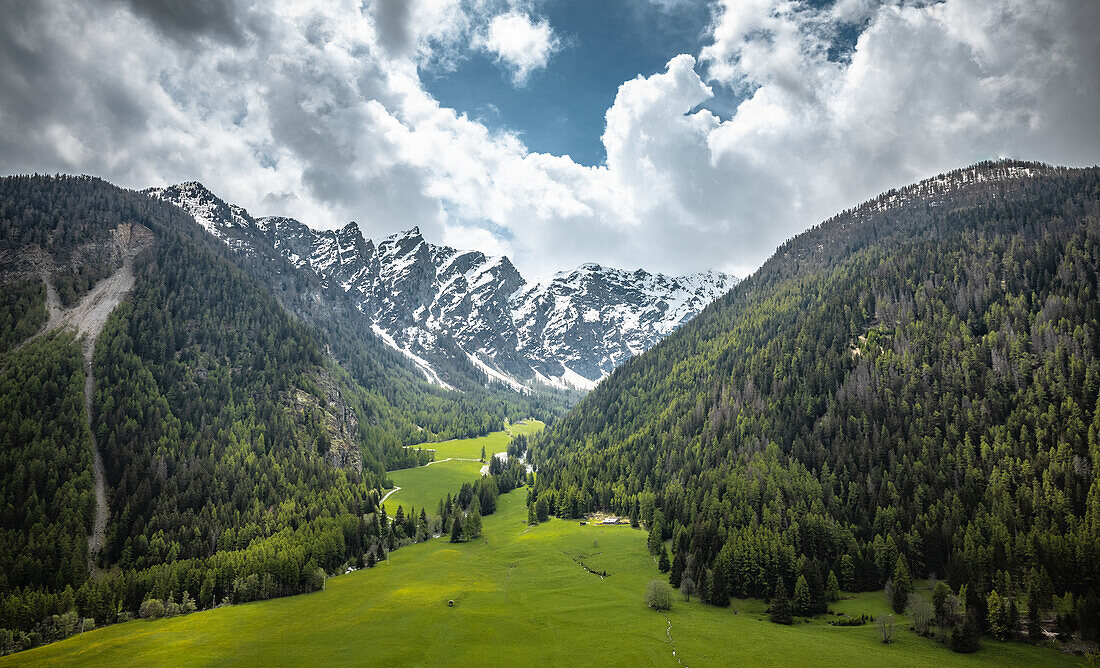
point(424, 487)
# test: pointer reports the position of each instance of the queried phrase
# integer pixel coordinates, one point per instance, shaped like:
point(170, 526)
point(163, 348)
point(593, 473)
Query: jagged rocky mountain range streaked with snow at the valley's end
point(447, 310)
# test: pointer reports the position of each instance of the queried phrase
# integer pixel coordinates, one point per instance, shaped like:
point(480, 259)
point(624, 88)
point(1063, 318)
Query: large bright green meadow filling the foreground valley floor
point(522, 597)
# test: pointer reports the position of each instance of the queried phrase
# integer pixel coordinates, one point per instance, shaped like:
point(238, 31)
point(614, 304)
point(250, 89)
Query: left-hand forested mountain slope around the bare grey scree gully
point(241, 456)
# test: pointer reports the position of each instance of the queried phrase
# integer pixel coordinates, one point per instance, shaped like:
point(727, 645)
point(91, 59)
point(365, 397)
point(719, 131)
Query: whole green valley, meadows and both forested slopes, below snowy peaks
point(276, 472)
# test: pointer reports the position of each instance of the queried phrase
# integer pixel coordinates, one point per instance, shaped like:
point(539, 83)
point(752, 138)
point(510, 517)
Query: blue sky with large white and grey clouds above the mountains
point(675, 136)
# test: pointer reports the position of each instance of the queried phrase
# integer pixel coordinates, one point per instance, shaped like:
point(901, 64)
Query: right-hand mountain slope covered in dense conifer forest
point(917, 378)
